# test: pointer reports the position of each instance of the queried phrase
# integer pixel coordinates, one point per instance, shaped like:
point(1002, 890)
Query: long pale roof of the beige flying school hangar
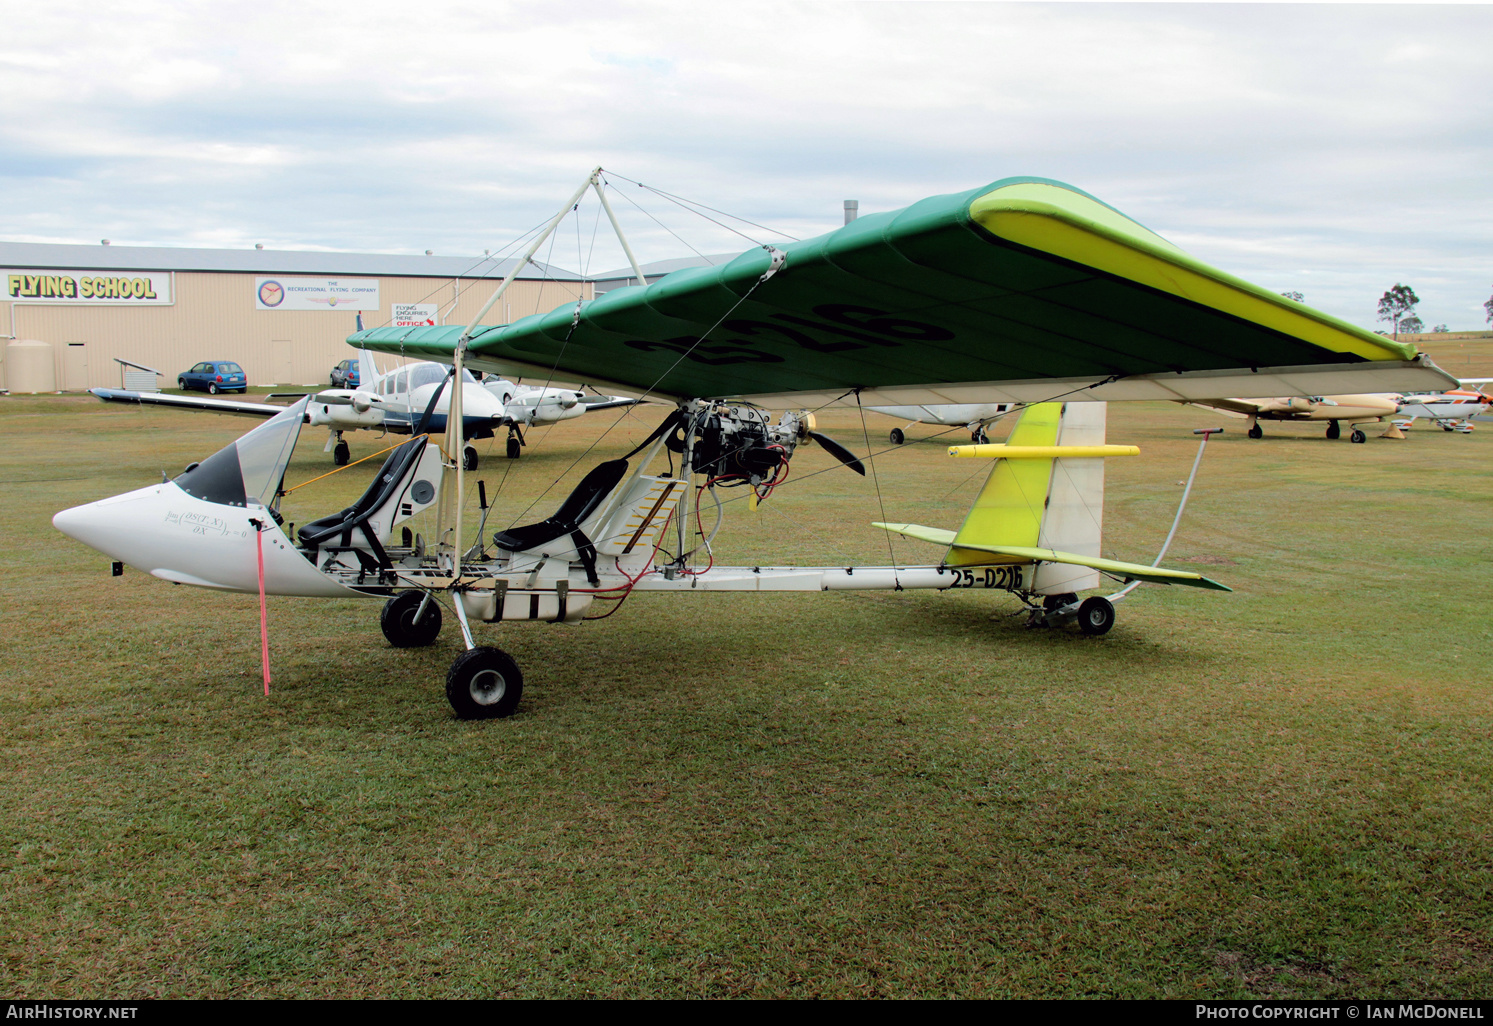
point(265, 262)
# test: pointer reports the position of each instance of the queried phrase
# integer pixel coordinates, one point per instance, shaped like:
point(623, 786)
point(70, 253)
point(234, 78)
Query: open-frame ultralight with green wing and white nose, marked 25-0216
point(1020, 292)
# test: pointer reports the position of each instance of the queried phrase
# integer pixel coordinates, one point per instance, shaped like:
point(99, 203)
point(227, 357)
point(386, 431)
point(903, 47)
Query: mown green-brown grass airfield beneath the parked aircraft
point(1282, 792)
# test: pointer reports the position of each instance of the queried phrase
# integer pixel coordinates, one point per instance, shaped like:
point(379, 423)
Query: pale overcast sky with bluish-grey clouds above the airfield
point(1334, 150)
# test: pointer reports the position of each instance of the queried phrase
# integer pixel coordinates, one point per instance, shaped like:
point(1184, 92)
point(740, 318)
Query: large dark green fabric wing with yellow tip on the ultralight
point(1016, 292)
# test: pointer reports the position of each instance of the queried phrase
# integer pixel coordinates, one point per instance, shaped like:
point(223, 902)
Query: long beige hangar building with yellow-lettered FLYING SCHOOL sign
point(283, 316)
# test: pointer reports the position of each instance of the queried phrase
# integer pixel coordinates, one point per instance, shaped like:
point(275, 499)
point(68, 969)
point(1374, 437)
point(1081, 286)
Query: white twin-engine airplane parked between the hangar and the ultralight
point(398, 401)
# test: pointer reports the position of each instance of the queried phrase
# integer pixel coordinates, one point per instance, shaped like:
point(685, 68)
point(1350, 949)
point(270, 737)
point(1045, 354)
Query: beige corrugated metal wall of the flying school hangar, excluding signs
point(214, 319)
